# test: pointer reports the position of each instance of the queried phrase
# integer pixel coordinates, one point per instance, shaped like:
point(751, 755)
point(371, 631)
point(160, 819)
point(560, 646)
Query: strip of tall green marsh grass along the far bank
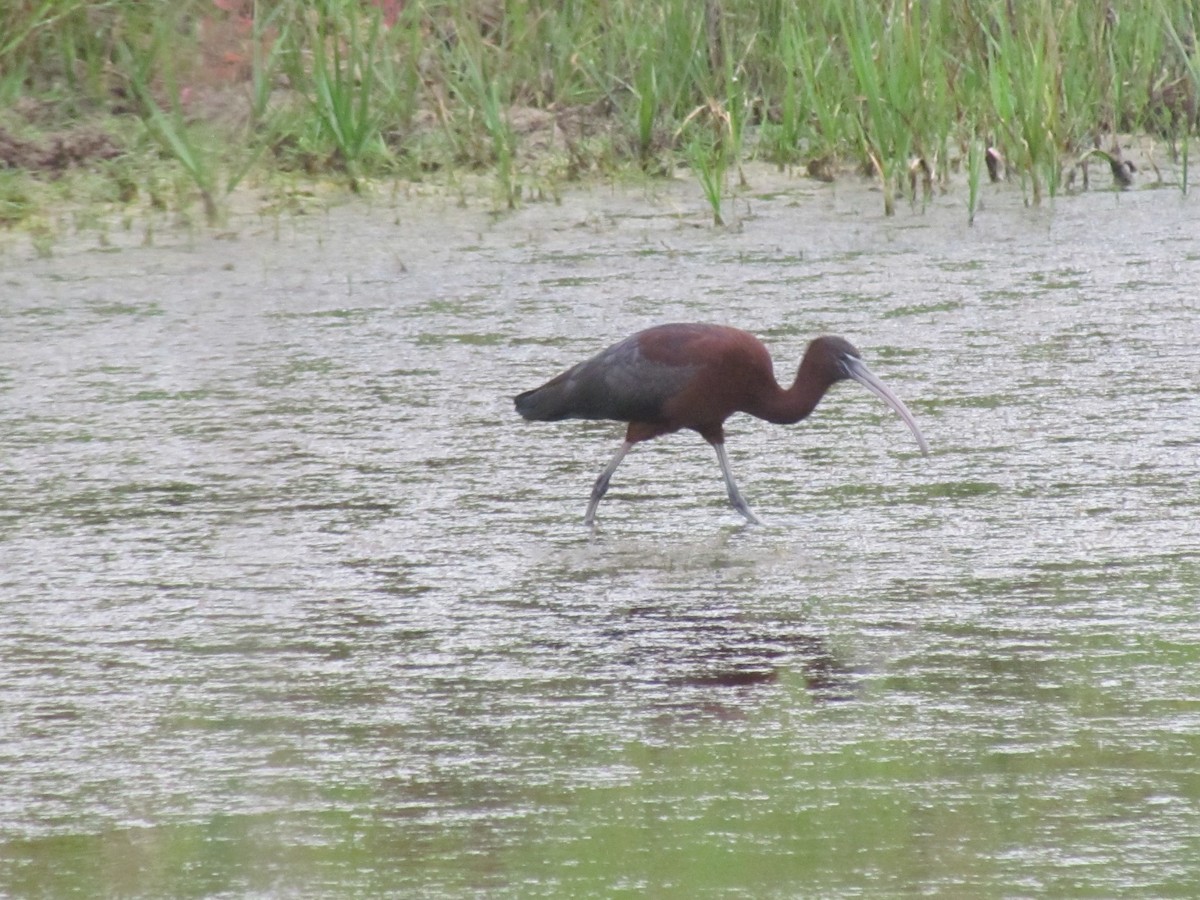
point(350, 89)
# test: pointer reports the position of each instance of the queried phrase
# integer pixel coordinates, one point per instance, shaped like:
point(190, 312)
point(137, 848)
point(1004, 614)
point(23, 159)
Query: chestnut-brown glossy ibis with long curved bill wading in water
point(675, 377)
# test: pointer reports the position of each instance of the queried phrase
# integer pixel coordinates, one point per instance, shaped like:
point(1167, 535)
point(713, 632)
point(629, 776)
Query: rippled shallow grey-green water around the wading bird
point(293, 604)
